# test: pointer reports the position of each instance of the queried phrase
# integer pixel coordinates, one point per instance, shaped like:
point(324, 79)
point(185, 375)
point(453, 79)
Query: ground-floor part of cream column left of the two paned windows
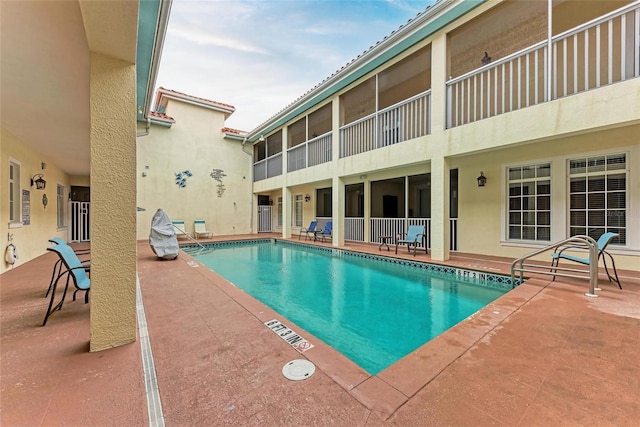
point(440, 209)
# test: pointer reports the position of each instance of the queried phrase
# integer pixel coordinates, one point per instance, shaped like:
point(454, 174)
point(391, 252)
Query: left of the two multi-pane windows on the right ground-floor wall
point(529, 205)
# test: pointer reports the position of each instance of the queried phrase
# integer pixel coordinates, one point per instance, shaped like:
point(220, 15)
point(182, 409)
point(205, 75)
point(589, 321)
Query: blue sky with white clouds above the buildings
point(262, 55)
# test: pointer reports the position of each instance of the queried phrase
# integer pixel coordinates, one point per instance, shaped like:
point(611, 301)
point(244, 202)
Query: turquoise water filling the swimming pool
point(373, 312)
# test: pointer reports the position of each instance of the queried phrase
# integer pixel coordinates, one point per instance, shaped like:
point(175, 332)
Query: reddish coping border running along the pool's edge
point(391, 388)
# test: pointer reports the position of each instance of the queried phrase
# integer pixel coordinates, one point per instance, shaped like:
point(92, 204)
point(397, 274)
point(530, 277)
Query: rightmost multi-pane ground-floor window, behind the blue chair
point(598, 196)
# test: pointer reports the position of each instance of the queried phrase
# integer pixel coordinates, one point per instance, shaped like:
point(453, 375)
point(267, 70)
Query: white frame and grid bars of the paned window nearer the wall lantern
point(537, 212)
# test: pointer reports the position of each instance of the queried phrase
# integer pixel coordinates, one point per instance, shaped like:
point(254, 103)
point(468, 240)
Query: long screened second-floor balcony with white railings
point(395, 104)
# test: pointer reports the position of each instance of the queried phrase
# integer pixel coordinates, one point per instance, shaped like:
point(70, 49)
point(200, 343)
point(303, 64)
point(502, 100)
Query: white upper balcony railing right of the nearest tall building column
point(600, 52)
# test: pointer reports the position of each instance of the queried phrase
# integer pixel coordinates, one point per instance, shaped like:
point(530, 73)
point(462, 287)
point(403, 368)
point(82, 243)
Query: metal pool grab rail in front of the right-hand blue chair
point(582, 241)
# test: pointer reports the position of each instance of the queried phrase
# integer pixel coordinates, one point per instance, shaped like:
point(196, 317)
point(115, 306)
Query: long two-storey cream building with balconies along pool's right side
point(540, 100)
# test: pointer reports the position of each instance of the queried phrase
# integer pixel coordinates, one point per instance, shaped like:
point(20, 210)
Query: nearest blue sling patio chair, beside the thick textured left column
point(74, 271)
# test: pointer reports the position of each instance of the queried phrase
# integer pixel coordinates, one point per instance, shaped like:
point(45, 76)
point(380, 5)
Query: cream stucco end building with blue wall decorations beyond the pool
point(193, 167)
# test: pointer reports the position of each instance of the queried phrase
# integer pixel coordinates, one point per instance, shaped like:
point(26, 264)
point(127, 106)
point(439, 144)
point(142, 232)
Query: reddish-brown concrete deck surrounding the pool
point(544, 354)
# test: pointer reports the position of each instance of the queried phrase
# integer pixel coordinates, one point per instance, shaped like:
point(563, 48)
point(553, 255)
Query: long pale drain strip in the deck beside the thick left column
point(154, 405)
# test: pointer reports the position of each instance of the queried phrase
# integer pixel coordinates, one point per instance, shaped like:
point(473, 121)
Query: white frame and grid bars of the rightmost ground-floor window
point(591, 227)
